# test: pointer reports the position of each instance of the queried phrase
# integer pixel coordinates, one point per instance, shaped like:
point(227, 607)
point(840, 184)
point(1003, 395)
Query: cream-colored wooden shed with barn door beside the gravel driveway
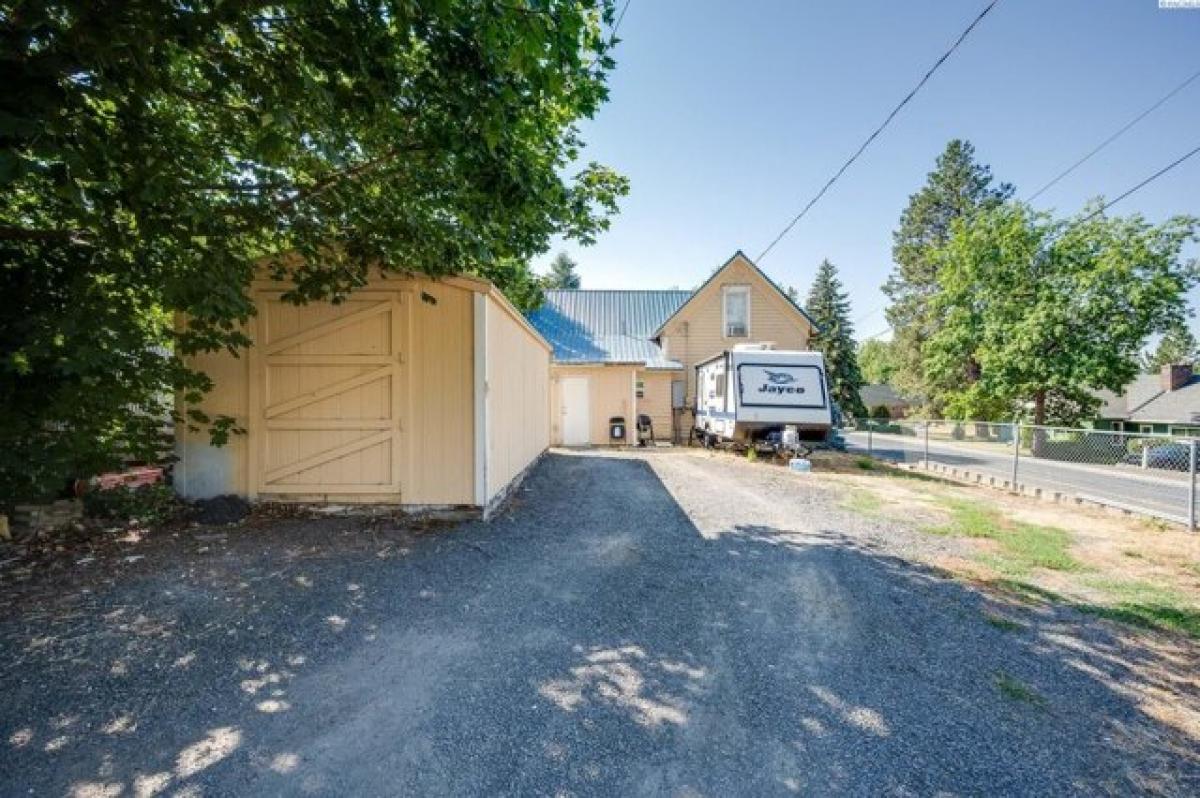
point(413, 392)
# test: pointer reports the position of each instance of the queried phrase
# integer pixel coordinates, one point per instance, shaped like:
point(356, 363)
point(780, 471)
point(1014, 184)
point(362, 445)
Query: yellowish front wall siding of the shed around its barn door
point(434, 401)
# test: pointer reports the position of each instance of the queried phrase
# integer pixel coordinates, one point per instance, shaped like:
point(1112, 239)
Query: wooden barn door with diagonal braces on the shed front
point(327, 398)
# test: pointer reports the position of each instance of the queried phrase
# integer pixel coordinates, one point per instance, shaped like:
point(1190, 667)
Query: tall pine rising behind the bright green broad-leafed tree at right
point(958, 188)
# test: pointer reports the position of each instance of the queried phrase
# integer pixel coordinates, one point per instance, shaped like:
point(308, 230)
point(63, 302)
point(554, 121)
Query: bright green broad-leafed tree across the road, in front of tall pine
point(1040, 314)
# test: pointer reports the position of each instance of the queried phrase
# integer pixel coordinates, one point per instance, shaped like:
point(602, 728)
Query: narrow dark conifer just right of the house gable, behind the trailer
point(830, 308)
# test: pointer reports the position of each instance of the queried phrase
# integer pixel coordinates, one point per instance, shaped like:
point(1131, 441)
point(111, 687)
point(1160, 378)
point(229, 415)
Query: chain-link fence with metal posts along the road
point(1149, 475)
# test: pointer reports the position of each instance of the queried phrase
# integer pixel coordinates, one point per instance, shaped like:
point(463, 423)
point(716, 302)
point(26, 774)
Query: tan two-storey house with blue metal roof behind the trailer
point(629, 353)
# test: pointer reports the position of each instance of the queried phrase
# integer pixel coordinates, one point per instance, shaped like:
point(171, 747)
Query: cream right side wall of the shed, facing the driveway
point(518, 397)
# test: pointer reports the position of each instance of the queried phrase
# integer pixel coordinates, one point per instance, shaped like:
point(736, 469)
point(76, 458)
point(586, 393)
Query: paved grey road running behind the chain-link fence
point(1165, 495)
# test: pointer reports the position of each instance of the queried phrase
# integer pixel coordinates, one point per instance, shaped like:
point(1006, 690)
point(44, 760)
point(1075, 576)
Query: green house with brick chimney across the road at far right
point(1167, 403)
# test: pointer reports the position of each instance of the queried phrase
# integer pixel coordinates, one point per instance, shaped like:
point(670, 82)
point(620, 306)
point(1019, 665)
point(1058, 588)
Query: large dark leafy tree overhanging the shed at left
point(154, 155)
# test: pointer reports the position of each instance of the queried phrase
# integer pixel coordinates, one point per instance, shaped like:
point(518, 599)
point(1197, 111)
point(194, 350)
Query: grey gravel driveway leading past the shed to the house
point(662, 625)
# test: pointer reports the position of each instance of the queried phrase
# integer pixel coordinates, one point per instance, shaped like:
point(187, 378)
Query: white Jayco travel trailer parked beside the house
point(757, 394)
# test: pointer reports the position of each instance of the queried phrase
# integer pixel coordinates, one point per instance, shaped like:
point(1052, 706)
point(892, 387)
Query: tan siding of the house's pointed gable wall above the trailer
point(698, 332)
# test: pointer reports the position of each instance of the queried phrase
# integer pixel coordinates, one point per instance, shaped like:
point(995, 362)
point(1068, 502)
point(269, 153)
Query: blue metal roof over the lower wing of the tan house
point(597, 327)
